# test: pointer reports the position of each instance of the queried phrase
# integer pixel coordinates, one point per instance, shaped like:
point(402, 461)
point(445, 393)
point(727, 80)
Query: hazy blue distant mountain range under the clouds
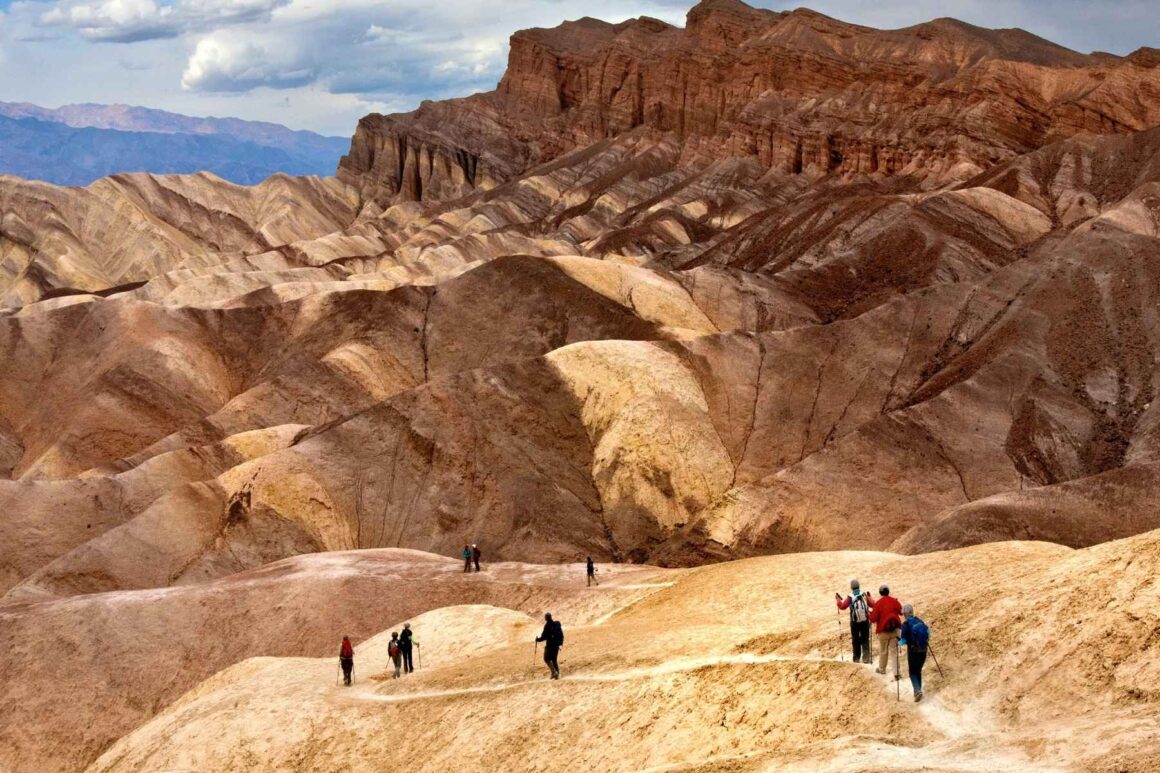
point(77, 145)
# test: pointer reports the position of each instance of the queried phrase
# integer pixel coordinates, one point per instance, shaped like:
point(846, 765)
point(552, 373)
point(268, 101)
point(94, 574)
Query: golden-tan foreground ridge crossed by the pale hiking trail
point(712, 671)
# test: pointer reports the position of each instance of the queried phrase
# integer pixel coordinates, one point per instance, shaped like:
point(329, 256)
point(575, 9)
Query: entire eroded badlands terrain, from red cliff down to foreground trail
point(741, 309)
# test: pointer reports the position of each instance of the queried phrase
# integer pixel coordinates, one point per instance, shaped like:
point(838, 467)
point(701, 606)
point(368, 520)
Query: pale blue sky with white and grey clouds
point(322, 64)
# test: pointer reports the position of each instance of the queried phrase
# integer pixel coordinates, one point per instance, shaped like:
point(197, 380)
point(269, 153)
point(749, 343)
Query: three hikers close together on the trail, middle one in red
point(896, 626)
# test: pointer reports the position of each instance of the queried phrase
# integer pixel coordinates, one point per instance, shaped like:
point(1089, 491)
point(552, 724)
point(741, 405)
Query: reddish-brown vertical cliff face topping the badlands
point(799, 92)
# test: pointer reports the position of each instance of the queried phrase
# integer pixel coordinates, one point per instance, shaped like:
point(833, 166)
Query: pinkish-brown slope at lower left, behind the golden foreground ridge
point(118, 660)
